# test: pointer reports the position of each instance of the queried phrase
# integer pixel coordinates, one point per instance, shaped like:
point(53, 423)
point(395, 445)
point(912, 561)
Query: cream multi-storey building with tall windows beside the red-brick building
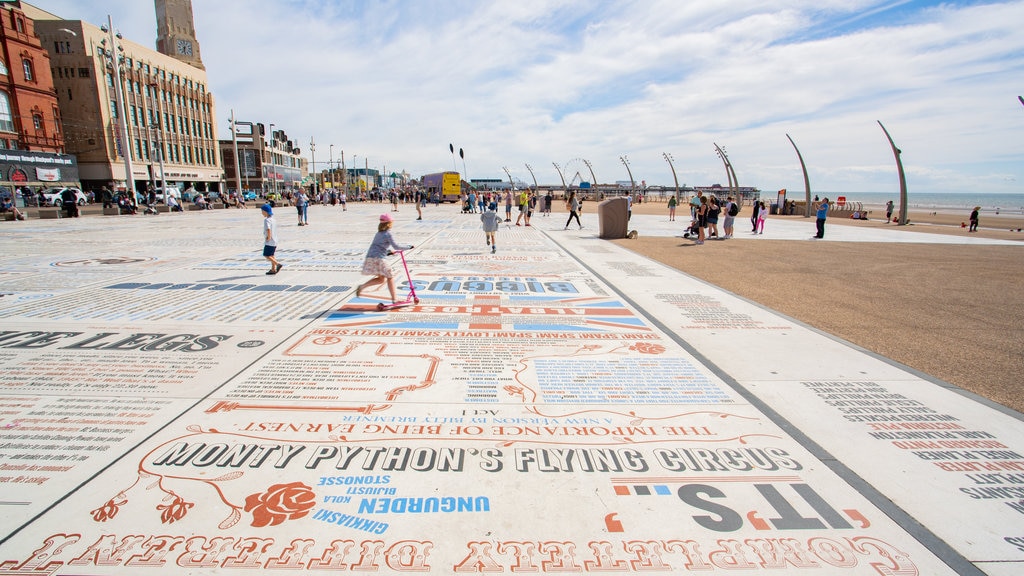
point(169, 111)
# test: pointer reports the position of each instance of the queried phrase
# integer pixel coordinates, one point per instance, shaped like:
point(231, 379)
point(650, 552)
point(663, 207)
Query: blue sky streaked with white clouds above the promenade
point(624, 84)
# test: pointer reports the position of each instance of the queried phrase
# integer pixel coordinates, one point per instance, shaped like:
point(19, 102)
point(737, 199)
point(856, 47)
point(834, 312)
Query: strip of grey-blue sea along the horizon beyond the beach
point(1003, 203)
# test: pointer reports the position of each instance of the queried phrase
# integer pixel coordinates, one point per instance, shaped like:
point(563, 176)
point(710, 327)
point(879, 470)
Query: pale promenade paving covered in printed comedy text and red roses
point(564, 405)
